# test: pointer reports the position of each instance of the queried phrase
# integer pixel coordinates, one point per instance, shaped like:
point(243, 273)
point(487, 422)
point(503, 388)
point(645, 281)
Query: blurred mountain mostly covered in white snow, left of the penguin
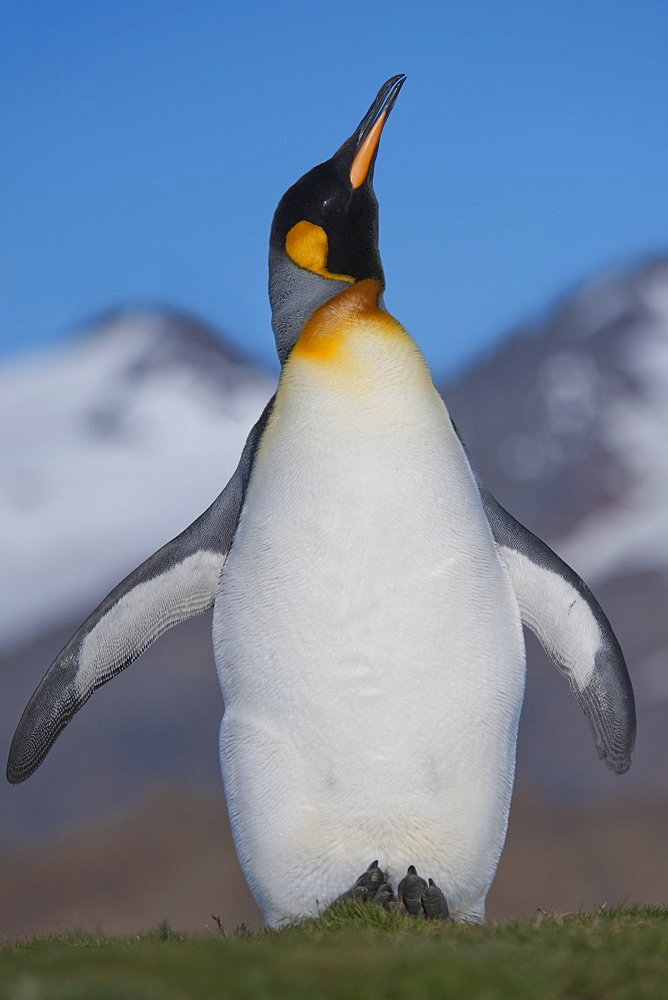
point(110, 446)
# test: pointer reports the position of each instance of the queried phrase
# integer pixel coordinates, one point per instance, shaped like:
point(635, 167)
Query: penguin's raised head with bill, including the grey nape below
point(324, 236)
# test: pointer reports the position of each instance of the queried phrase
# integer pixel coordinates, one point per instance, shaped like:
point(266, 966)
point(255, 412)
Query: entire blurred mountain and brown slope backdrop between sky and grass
point(116, 440)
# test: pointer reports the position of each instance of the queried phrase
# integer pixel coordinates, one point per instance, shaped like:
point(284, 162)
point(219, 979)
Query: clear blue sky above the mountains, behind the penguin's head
point(147, 143)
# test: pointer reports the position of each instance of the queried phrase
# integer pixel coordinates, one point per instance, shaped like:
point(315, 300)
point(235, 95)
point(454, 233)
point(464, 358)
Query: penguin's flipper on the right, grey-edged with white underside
point(573, 630)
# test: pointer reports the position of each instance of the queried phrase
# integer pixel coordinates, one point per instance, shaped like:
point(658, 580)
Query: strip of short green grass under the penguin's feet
point(358, 952)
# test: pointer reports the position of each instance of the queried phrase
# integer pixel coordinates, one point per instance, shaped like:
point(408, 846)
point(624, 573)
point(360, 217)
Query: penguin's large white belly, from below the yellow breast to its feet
point(370, 654)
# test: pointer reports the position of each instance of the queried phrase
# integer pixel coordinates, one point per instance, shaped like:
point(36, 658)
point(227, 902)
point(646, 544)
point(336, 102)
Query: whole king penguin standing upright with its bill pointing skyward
point(369, 595)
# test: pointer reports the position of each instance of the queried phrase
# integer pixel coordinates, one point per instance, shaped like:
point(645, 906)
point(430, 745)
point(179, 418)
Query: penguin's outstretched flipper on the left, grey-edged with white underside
point(178, 581)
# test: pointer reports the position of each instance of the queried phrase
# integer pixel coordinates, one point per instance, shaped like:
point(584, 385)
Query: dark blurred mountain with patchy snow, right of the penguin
point(569, 419)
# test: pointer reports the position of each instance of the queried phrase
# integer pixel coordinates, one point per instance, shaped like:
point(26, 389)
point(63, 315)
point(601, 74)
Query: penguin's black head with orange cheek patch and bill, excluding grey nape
point(327, 223)
